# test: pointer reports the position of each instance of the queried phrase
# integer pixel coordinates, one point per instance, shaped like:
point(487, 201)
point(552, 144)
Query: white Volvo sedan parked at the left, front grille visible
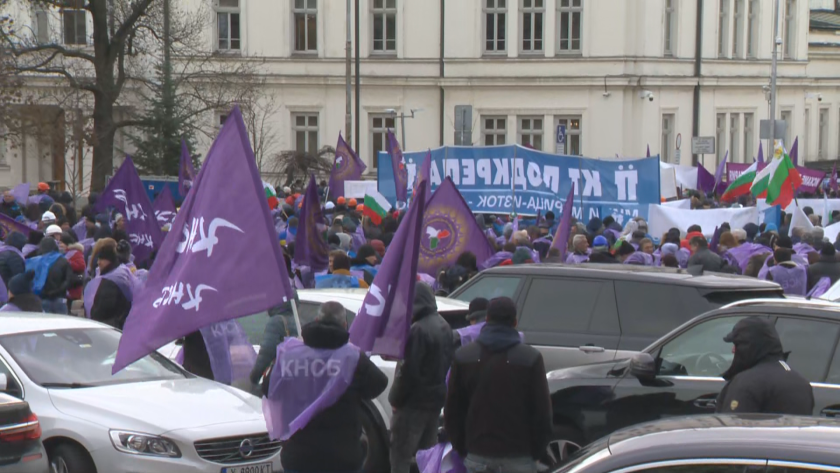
point(150, 417)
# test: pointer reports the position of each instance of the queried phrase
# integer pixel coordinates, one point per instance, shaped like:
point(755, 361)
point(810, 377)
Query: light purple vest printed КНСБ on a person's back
point(303, 383)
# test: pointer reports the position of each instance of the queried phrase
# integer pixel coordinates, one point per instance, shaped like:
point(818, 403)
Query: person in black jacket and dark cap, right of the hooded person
point(498, 409)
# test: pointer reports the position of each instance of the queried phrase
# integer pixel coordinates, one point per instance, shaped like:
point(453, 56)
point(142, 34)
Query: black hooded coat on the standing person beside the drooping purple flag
point(420, 379)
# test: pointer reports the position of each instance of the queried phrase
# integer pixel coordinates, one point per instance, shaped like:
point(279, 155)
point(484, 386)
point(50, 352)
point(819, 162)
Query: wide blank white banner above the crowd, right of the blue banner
point(661, 219)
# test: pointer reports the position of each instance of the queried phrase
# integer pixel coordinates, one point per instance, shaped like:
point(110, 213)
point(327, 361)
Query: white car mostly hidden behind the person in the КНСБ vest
point(377, 422)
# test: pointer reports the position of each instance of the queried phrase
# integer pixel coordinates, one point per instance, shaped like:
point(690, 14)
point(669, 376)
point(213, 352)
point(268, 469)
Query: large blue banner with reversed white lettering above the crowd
point(504, 179)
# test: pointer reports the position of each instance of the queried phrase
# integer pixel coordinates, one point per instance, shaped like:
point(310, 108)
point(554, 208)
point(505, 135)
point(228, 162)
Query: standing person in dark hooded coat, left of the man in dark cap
point(419, 388)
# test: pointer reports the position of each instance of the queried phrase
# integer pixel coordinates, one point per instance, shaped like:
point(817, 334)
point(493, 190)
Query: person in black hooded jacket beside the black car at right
point(759, 379)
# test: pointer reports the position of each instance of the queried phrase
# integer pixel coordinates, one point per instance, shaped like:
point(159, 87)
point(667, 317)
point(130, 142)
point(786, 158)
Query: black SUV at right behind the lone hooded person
point(680, 373)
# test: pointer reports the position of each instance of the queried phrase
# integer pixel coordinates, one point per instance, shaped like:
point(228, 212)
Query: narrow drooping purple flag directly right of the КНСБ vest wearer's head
point(385, 317)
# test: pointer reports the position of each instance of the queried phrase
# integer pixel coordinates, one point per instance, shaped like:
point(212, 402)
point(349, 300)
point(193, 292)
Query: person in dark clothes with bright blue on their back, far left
point(53, 276)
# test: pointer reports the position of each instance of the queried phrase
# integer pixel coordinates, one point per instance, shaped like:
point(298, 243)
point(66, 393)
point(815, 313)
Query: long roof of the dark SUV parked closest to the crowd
point(637, 273)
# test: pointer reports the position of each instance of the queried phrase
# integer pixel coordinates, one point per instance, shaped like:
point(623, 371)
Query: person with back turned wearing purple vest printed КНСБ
point(315, 394)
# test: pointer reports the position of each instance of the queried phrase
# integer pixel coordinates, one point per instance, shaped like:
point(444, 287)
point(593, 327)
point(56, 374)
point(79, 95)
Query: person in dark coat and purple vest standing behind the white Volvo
point(108, 296)
